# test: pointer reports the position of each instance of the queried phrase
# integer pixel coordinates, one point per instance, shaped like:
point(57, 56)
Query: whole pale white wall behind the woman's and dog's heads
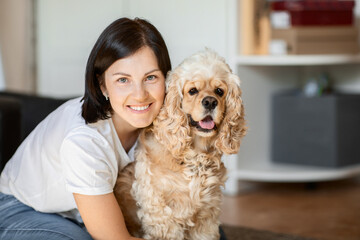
point(68, 29)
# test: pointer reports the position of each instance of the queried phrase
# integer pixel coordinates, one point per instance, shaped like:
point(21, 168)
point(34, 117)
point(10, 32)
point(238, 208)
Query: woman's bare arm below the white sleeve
point(102, 216)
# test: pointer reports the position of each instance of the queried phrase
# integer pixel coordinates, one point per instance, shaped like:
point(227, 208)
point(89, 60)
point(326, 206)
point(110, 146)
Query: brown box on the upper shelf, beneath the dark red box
point(319, 40)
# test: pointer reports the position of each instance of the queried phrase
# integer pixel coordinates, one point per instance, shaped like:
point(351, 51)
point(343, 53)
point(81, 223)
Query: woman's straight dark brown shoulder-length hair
point(120, 39)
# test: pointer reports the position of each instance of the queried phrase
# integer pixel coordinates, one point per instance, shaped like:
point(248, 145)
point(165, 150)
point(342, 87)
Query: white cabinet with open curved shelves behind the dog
point(262, 76)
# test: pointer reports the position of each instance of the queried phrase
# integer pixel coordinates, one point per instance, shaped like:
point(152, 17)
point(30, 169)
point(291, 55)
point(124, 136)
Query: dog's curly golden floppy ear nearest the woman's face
point(171, 125)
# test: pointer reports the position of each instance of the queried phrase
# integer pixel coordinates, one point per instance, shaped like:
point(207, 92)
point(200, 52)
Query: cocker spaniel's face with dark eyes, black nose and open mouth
point(204, 103)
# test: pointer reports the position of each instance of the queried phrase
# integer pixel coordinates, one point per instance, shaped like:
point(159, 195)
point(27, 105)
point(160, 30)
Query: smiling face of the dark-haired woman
point(136, 89)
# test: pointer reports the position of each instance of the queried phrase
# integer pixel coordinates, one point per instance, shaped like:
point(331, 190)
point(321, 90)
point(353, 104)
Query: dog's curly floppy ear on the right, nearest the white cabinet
point(233, 126)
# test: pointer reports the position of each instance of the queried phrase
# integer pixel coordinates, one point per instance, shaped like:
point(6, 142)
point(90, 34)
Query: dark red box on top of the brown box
point(317, 12)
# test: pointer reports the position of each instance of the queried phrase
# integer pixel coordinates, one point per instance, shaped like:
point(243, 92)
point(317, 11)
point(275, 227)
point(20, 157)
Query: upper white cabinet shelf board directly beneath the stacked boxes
point(297, 60)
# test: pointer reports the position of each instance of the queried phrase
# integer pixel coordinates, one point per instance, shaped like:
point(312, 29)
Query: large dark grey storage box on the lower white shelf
point(319, 131)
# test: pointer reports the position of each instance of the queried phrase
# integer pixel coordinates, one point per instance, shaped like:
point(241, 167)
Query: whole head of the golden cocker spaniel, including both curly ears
point(203, 99)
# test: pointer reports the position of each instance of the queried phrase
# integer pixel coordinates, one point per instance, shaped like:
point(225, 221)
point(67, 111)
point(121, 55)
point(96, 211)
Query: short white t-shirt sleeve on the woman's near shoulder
point(89, 164)
